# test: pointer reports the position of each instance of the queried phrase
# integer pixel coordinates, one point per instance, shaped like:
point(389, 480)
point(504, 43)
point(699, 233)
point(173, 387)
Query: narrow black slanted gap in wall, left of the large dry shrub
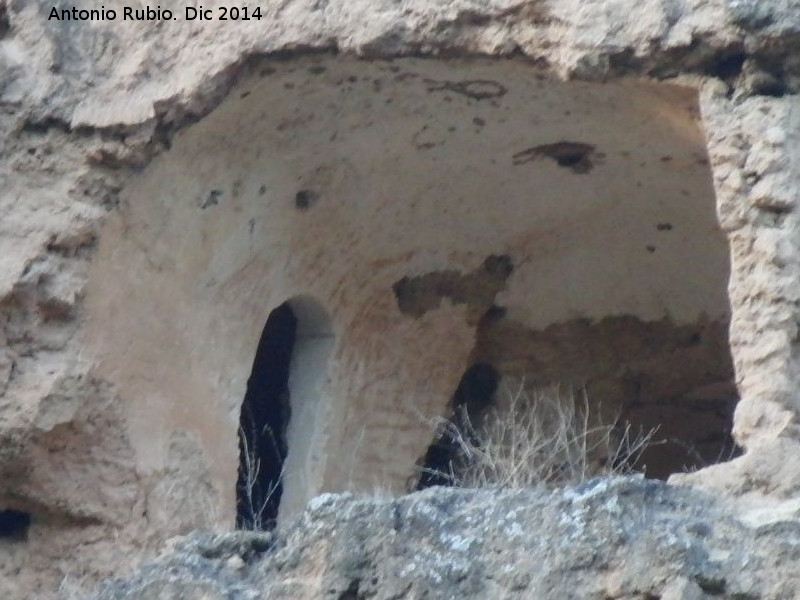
point(475, 393)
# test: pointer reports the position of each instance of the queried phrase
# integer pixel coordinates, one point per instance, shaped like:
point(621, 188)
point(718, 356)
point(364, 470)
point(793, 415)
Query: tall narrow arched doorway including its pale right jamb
point(279, 471)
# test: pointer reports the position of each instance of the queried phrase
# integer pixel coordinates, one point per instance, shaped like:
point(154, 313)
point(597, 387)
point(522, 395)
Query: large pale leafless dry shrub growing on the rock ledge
point(539, 438)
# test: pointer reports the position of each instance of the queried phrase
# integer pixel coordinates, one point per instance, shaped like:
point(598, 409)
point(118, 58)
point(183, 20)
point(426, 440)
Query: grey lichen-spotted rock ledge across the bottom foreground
point(610, 539)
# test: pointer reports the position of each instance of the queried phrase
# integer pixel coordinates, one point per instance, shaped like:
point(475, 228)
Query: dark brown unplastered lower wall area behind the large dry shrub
point(673, 383)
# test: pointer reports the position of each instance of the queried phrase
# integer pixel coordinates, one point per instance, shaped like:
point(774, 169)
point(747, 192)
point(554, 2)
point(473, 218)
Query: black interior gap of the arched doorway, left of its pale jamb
point(263, 422)
